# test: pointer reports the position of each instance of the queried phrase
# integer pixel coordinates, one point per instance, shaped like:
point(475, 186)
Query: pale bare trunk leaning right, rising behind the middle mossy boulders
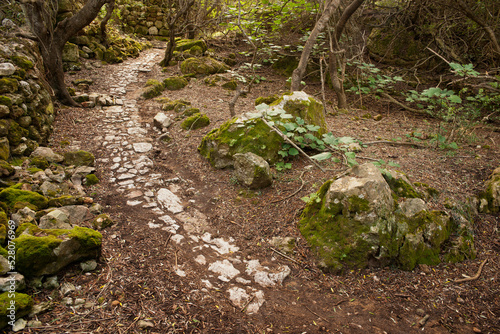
point(298, 73)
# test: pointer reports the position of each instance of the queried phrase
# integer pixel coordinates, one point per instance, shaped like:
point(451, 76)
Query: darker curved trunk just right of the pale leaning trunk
point(337, 56)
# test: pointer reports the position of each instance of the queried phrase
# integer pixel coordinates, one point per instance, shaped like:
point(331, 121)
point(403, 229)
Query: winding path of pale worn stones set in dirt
point(126, 145)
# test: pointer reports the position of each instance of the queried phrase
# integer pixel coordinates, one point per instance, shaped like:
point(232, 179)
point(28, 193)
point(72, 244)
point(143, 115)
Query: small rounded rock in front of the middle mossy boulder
point(252, 170)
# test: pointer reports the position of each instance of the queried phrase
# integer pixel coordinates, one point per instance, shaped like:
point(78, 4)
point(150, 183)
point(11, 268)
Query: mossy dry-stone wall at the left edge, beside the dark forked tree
point(26, 110)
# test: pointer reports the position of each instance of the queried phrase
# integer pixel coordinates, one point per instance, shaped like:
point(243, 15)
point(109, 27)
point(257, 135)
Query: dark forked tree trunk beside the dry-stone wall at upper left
point(52, 37)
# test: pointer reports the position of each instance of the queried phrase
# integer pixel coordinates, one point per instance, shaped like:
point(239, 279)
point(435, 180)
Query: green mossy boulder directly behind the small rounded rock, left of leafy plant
point(240, 136)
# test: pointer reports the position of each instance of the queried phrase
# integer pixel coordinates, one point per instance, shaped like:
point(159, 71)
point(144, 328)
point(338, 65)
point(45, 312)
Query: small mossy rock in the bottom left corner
point(14, 305)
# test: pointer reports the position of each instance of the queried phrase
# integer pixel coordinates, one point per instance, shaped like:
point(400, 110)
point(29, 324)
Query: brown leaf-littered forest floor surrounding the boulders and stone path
point(148, 278)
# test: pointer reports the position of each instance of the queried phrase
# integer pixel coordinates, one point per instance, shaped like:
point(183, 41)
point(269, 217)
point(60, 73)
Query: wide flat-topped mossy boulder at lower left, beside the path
point(45, 252)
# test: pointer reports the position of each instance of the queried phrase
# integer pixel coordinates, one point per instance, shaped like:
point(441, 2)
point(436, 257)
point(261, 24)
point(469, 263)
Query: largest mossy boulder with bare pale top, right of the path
point(356, 222)
